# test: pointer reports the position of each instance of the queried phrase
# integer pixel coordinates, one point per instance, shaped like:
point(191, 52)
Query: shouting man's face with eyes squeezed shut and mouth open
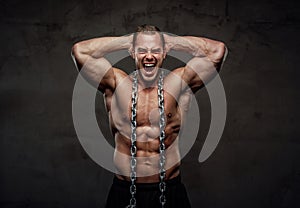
point(149, 55)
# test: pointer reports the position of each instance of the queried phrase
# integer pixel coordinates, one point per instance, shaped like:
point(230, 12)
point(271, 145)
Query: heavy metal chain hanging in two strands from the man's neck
point(133, 149)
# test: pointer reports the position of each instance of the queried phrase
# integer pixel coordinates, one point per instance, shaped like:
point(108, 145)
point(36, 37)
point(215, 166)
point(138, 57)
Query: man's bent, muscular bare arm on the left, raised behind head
point(89, 58)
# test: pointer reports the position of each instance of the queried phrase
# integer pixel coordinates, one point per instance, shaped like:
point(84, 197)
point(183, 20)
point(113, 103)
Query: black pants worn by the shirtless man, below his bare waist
point(148, 194)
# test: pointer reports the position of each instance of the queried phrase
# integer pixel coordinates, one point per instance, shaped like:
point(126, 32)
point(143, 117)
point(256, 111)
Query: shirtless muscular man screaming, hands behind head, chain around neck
point(146, 109)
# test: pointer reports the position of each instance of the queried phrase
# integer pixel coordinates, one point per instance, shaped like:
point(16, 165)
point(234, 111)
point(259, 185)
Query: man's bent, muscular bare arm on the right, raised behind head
point(208, 57)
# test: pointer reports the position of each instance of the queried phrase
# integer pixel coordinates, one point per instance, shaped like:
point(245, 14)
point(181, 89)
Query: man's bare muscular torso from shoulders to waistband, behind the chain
point(118, 104)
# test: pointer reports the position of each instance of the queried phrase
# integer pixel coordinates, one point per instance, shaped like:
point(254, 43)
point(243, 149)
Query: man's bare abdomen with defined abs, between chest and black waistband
point(147, 156)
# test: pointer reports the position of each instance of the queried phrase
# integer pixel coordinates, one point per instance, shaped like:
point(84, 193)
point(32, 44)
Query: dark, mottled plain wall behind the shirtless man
point(256, 162)
